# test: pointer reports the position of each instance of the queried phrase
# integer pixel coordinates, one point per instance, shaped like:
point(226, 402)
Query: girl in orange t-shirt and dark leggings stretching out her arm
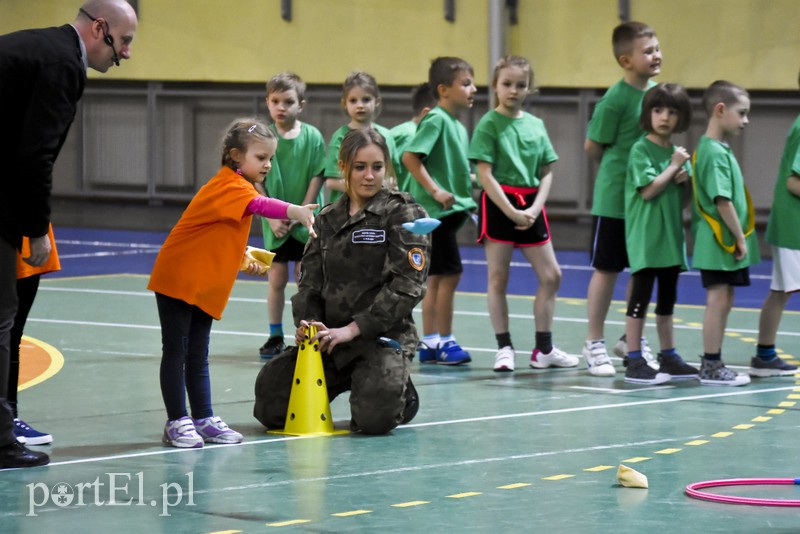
point(195, 271)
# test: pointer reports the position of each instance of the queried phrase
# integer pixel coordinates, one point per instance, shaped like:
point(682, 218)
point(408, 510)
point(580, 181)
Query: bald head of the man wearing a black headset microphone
point(107, 28)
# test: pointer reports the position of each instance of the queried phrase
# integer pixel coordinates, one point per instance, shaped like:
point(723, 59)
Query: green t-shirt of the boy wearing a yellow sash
point(717, 174)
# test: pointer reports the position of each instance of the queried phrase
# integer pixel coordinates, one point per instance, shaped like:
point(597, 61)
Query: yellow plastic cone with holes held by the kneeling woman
point(309, 412)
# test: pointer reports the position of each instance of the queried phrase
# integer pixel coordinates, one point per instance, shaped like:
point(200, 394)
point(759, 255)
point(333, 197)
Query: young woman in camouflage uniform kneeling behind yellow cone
point(359, 283)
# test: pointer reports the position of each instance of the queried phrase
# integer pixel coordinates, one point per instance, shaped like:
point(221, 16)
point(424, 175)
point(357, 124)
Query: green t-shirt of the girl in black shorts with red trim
point(517, 148)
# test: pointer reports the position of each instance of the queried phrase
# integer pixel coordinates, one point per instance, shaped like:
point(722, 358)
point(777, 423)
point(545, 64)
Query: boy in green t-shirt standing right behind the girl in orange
point(296, 177)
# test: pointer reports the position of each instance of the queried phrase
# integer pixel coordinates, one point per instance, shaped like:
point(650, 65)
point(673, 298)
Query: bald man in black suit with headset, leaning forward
point(42, 74)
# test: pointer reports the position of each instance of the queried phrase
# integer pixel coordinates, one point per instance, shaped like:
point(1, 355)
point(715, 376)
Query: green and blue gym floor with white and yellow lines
point(523, 451)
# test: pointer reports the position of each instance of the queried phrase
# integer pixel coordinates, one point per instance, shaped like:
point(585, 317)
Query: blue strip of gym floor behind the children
point(86, 252)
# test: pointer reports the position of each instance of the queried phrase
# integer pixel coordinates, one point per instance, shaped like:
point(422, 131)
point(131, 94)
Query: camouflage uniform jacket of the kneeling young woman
point(366, 268)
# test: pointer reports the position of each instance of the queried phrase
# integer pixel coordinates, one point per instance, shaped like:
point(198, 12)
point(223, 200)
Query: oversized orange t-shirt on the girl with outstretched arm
point(200, 258)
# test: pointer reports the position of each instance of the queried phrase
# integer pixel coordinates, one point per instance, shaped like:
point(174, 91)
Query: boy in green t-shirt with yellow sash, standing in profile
point(723, 224)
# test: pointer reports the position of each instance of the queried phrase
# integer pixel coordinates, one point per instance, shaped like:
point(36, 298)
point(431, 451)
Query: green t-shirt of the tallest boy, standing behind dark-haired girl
point(615, 124)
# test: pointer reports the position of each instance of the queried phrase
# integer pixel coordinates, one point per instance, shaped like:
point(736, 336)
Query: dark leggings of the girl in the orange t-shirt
point(185, 332)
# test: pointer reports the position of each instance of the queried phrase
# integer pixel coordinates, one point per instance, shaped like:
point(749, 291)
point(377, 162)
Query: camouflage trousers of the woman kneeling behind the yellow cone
point(376, 379)
